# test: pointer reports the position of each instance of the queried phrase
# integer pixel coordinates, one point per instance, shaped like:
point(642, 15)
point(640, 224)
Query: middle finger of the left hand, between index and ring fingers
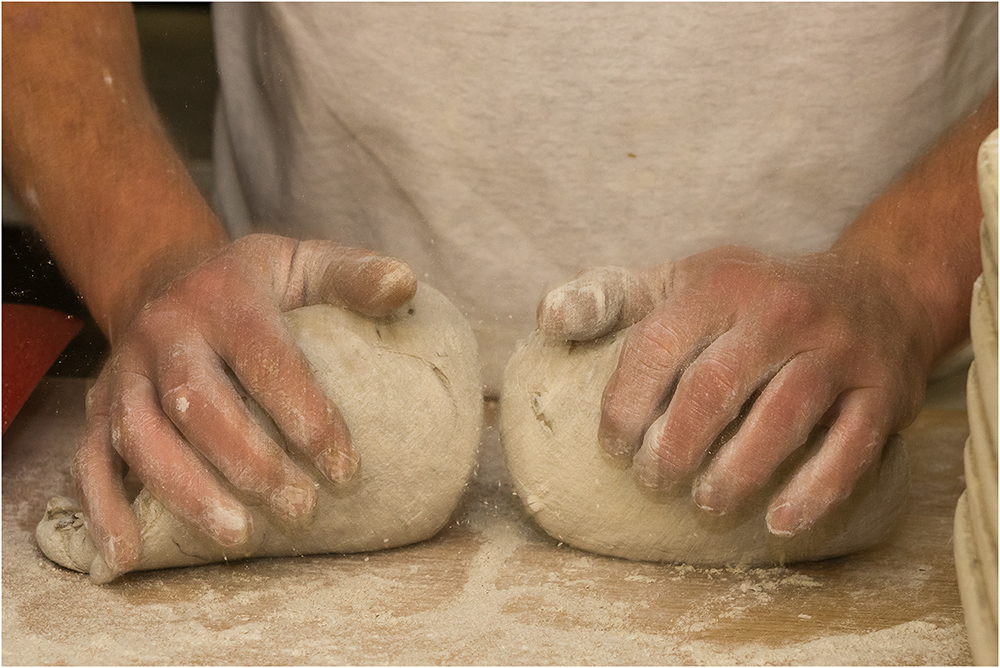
point(204, 406)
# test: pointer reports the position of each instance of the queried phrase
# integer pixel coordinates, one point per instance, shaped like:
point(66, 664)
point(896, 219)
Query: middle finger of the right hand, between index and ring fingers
point(709, 396)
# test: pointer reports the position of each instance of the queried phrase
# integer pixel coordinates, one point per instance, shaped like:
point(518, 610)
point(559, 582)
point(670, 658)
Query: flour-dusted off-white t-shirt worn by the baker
point(502, 148)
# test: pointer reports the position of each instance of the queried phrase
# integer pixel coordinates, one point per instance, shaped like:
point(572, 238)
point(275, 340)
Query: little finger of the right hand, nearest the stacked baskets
point(827, 479)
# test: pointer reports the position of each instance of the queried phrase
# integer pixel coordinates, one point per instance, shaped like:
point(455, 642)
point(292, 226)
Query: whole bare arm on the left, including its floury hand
point(181, 305)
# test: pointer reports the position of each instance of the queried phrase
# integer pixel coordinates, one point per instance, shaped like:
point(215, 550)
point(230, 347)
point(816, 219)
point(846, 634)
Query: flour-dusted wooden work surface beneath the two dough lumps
point(490, 589)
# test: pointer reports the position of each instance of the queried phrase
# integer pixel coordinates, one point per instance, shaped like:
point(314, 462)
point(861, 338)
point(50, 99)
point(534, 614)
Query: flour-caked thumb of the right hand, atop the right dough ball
point(602, 300)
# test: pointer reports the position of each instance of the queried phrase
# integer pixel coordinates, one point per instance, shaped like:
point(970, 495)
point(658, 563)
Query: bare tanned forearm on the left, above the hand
point(85, 152)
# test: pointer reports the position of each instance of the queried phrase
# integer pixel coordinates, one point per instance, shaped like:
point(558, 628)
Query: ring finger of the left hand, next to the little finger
point(170, 470)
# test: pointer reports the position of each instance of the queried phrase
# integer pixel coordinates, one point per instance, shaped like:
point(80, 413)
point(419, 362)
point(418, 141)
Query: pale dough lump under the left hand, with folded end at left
point(408, 387)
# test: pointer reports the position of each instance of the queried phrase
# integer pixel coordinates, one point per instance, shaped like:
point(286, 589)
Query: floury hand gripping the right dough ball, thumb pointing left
point(826, 339)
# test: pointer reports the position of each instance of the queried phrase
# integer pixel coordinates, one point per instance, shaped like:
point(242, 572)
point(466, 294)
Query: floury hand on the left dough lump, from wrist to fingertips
point(165, 407)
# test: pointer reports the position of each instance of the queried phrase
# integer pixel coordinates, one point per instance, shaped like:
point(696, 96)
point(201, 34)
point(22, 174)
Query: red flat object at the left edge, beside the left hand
point(33, 337)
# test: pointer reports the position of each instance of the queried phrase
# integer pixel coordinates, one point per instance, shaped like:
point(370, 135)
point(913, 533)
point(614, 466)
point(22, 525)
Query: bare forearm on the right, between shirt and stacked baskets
point(925, 229)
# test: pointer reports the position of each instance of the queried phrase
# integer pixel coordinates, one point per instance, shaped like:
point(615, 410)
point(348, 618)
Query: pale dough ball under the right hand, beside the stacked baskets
point(549, 413)
